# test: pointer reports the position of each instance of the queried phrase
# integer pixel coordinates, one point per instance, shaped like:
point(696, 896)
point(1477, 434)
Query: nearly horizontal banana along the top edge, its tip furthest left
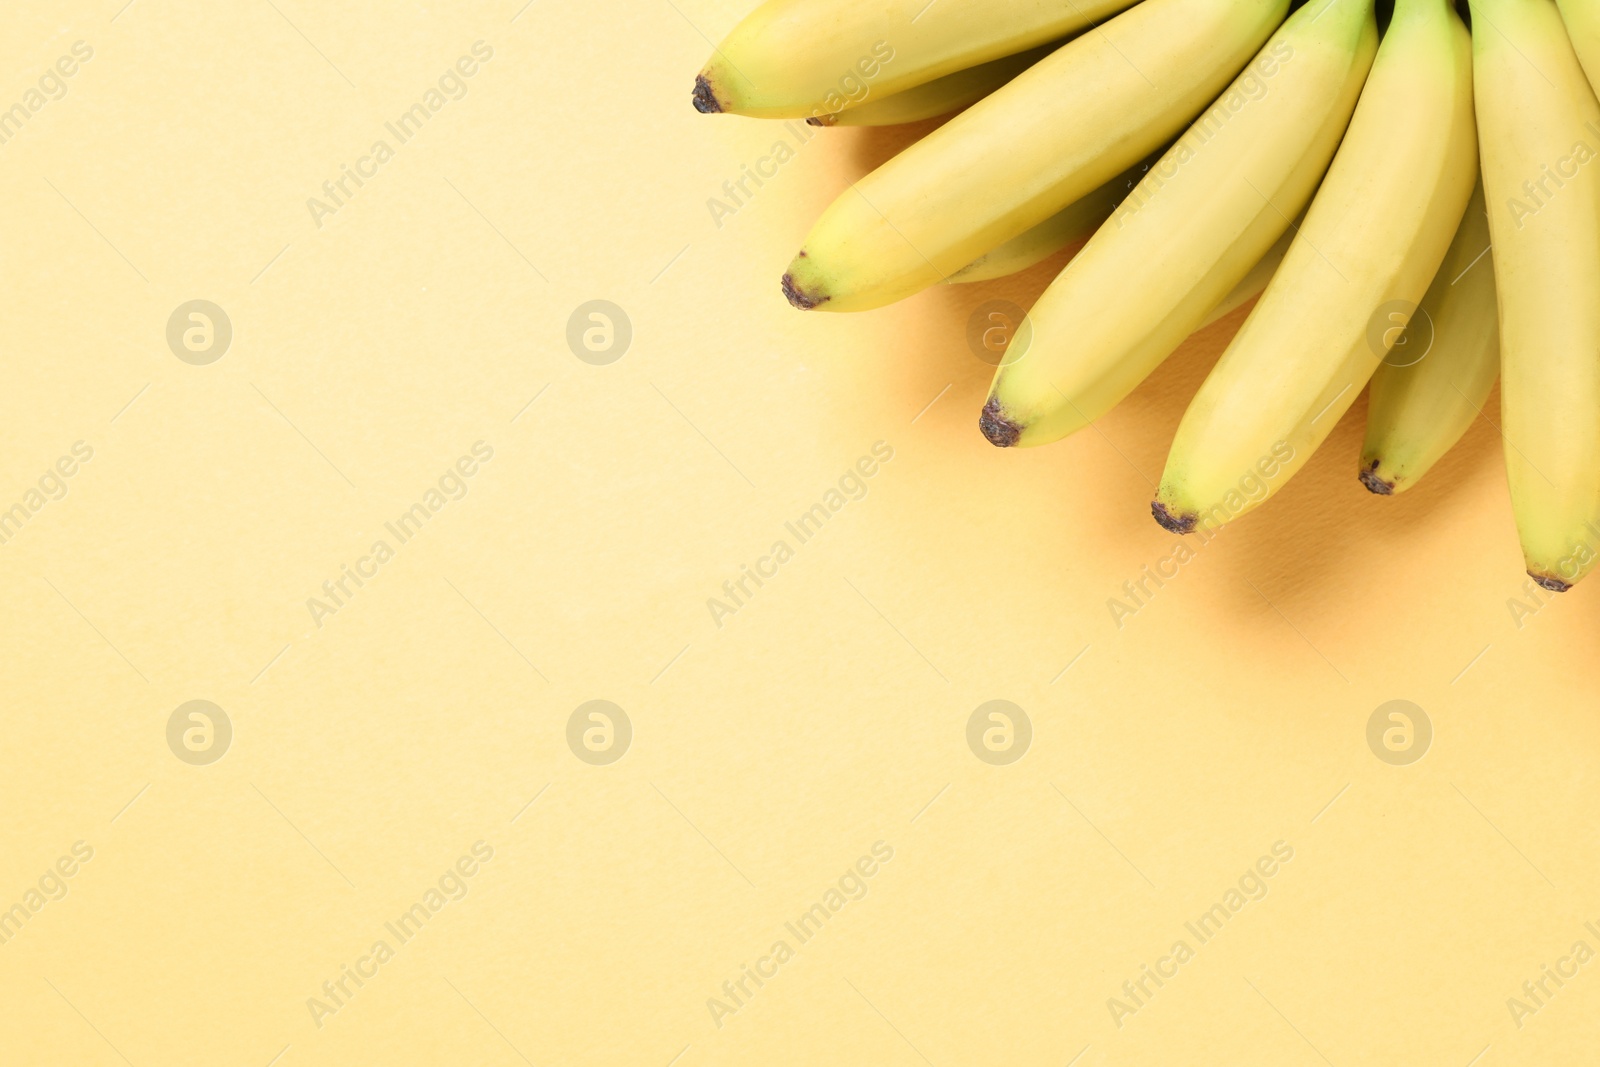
point(809, 58)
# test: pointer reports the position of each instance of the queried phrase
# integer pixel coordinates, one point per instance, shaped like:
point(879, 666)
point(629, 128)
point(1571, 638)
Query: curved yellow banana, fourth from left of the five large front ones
point(1374, 239)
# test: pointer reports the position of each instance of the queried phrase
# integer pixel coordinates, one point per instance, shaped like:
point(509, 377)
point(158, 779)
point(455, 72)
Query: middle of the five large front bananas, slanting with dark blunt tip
point(1191, 233)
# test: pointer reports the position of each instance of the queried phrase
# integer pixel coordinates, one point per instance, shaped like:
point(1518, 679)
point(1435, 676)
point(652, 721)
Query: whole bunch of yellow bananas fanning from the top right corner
point(1194, 154)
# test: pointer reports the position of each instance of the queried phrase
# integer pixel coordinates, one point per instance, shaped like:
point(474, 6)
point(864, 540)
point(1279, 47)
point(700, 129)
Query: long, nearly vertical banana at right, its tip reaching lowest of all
point(1542, 178)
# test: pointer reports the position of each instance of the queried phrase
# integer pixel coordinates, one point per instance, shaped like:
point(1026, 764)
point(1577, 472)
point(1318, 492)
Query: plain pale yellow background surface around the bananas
point(828, 714)
